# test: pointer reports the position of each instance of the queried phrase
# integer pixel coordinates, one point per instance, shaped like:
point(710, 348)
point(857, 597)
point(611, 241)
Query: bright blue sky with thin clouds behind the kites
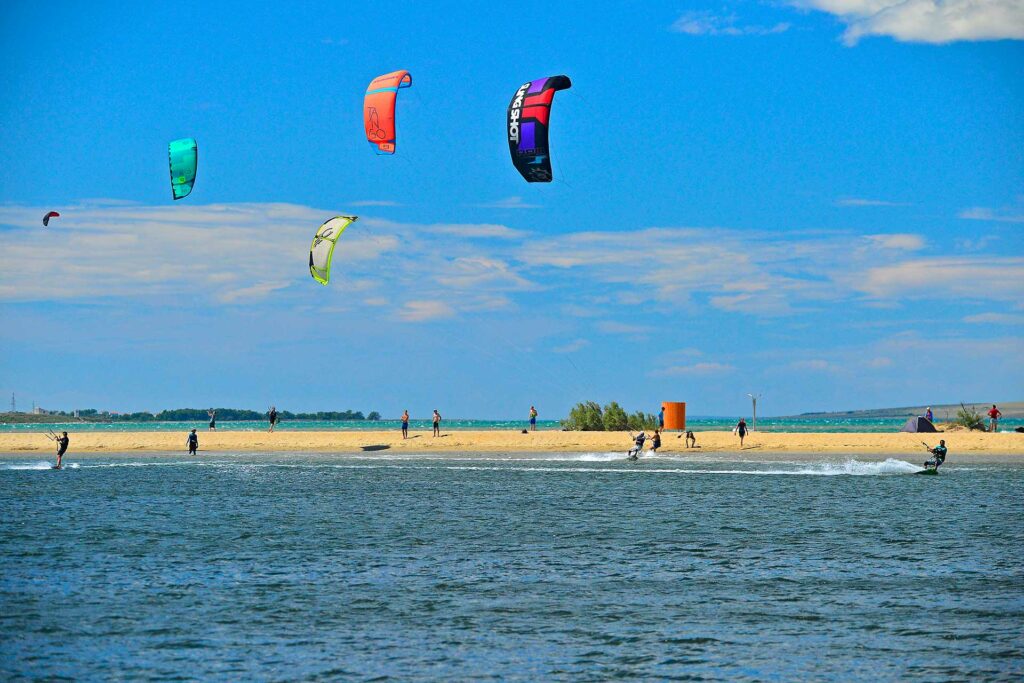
point(821, 201)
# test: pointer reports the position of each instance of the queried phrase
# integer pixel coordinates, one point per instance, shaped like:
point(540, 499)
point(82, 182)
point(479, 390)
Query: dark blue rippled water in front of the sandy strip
point(532, 568)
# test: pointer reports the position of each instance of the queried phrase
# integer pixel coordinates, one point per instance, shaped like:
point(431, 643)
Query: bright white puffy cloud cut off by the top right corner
point(926, 21)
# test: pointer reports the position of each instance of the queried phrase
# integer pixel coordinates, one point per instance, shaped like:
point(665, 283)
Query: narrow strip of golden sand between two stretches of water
point(960, 444)
